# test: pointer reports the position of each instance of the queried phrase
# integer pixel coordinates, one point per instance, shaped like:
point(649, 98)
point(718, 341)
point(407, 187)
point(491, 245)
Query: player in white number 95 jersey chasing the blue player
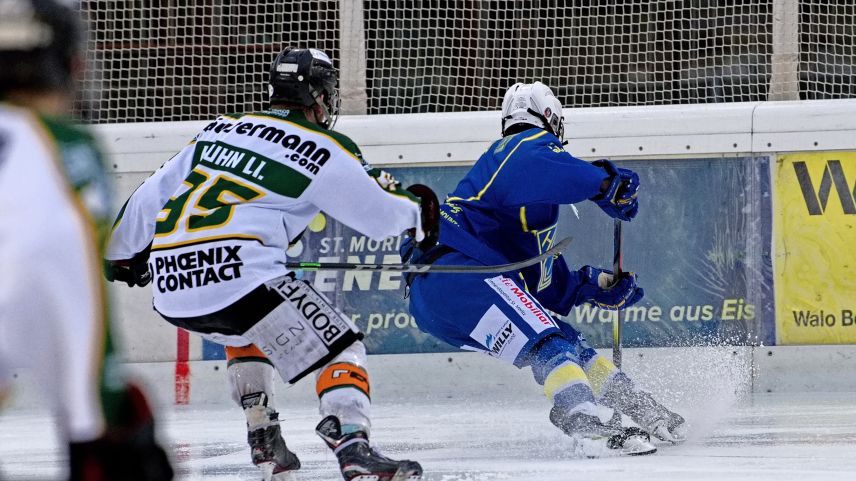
point(210, 231)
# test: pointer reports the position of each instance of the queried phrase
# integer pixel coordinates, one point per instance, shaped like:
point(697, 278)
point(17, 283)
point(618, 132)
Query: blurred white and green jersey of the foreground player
point(55, 211)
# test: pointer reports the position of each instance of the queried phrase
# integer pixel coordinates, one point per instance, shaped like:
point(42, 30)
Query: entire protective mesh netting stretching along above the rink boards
point(160, 61)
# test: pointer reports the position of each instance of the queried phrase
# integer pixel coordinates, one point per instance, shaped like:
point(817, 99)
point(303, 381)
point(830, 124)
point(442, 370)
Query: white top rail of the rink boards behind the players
point(615, 132)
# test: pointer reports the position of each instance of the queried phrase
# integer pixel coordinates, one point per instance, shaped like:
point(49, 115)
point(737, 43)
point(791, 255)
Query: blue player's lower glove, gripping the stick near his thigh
point(598, 288)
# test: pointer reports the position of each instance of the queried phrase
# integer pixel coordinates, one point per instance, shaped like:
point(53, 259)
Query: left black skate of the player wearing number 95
point(267, 448)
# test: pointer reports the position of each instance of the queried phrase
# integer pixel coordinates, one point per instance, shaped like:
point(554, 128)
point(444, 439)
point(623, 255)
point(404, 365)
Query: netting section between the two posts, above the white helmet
point(452, 55)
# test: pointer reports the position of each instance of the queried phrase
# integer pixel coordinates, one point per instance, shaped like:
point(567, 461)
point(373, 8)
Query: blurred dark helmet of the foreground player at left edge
point(40, 41)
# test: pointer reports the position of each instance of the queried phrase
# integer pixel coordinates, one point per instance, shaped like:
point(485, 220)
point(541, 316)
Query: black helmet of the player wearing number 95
point(306, 77)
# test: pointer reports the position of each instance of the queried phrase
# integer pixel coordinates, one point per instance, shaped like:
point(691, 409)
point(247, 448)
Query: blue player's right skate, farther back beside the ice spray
point(652, 416)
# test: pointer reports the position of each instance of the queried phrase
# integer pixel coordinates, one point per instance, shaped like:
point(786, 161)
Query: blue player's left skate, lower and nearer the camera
point(595, 438)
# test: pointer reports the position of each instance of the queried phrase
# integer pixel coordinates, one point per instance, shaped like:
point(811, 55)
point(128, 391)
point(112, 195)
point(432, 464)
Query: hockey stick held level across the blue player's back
point(421, 268)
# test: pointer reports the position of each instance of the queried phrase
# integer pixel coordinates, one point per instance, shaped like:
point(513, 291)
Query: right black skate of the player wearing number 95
point(361, 462)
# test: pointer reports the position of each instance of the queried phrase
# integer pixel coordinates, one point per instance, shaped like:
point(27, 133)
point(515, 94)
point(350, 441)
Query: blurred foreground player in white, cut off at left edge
point(55, 210)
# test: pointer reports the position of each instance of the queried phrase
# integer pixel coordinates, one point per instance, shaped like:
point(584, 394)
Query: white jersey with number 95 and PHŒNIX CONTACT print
point(221, 213)
